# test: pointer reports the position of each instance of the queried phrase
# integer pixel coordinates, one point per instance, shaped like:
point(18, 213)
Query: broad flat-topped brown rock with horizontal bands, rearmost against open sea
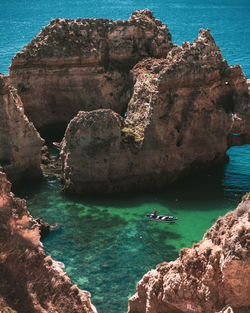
point(84, 64)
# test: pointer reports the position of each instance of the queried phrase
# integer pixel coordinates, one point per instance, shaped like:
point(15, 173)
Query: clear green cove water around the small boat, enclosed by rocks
point(107, 244)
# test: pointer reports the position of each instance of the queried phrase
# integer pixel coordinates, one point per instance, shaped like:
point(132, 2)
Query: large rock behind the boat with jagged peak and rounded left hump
point(181, 116)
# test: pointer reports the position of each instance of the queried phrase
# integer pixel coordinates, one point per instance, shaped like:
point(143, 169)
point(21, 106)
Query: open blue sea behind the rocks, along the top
point(21, 20)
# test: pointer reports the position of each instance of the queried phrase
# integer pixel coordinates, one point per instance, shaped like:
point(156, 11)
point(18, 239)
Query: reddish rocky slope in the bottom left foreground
point(31, 281)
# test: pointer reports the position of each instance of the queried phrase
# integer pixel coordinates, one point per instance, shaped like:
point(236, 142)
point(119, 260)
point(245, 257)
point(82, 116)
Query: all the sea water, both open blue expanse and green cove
point(106, 243)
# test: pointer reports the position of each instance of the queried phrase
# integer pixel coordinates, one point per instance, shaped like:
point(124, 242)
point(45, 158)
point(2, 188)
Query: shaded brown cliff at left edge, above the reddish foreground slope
point(20, 143)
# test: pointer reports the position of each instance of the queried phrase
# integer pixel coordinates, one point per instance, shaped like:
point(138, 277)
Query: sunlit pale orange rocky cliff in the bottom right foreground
point(211, 276)
